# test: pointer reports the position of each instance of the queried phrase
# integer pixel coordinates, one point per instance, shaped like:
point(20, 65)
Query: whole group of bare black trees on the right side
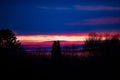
point(103, 45)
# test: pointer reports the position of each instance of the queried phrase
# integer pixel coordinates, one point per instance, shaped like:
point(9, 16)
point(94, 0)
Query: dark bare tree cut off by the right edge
point(111, 46)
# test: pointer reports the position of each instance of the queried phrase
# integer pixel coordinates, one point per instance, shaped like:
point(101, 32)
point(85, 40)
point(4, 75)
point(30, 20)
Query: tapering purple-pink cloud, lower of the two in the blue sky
point(96, 21)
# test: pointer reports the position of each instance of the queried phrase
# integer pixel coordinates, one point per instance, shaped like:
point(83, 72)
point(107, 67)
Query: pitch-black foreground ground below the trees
point(42, 67)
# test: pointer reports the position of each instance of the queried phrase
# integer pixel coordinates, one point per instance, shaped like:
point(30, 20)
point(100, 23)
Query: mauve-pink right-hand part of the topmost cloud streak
point(96, 8)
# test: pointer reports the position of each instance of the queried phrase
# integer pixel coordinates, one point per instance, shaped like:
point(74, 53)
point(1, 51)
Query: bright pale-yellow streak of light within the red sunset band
point(42, 38)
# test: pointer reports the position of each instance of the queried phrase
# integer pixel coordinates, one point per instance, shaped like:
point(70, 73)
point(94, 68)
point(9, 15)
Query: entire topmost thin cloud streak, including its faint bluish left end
point(79, 7)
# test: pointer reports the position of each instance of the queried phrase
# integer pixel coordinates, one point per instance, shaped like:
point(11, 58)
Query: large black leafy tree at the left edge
point(9, 43)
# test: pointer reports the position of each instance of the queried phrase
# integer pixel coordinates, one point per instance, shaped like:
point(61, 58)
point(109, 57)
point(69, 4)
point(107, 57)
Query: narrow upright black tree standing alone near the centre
point(56, 51)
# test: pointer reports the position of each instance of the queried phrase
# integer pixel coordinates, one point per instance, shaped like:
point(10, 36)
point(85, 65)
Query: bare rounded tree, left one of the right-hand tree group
point(93, 43)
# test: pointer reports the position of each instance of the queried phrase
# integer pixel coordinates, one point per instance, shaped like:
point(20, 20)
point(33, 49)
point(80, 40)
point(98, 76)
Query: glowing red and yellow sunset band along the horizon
point(46, 40)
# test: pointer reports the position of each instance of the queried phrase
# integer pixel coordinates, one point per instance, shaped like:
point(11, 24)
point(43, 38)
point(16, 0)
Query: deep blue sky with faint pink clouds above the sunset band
point(59, 16)
